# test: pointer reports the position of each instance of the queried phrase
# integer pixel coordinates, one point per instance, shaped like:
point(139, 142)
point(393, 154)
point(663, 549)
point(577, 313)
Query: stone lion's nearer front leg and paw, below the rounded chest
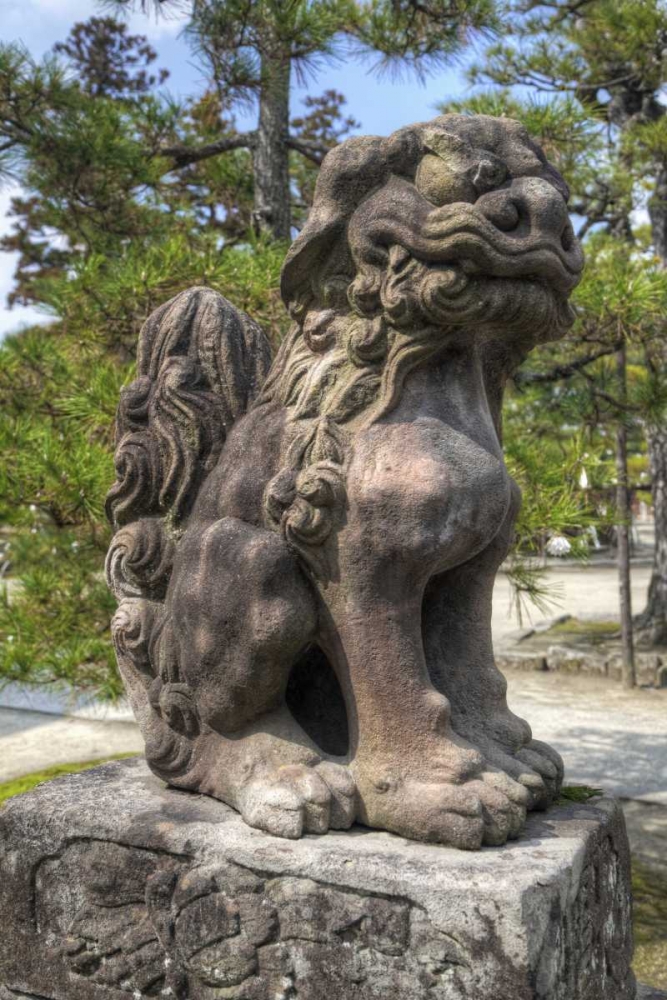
point(415, 775)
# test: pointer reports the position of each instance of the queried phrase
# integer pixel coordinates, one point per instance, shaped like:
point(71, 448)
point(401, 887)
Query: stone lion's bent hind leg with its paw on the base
point(208, 688)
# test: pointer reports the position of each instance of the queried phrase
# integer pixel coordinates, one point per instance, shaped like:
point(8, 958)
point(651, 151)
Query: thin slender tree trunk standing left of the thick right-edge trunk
point(623, 515)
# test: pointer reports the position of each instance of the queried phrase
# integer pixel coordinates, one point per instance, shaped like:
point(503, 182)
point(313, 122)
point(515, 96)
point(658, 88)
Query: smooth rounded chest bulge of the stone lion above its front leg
point(430, 490)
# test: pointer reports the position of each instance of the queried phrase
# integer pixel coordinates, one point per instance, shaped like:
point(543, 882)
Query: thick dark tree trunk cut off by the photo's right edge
point(653, 619)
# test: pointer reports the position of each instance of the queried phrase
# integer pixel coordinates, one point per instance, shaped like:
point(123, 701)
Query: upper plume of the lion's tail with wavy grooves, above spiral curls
point(200, 364)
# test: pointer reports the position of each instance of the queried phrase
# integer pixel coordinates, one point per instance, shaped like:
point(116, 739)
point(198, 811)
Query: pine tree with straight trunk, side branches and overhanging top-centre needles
point(253, 49)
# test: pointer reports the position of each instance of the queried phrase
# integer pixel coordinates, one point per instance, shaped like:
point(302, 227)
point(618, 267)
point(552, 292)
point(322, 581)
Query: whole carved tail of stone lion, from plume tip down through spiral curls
point(201, 363)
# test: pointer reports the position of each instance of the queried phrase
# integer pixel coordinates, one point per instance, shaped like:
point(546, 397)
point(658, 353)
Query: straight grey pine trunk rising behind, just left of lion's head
point(271, 212)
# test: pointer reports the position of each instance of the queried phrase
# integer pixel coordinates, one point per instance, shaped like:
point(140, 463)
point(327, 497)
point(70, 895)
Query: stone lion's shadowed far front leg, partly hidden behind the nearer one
point(456, 623)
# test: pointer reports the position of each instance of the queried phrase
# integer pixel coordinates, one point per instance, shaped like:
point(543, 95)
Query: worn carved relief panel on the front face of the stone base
point(146, 924)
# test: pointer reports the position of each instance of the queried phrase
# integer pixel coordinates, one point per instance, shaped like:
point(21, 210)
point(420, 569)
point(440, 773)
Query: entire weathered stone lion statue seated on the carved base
point(305, 549)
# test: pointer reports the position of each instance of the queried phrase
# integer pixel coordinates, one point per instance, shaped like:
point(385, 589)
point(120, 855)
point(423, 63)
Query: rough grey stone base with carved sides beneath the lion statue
point(112, 887)
